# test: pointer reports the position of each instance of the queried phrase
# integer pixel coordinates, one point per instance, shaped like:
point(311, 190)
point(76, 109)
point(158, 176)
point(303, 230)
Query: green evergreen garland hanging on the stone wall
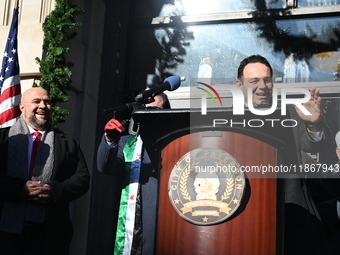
point(58, 27)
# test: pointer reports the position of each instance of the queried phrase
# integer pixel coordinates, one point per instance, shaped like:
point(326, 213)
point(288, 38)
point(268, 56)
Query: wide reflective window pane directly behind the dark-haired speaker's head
point(299, 50)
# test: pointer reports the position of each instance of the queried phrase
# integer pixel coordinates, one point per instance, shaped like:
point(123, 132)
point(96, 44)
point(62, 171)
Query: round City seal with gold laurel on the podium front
point(206, 186)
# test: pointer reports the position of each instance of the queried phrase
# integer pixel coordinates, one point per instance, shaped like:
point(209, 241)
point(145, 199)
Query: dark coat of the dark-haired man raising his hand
point(304, 232)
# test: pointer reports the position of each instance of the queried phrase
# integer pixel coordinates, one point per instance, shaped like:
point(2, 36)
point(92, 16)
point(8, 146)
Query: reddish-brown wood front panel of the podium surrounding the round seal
point(251, 229)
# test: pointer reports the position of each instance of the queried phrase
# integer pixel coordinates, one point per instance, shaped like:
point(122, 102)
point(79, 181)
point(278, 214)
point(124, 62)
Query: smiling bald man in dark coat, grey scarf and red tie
point(34, 201)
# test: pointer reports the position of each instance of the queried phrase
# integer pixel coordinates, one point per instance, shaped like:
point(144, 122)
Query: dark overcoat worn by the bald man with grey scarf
point(70, 180)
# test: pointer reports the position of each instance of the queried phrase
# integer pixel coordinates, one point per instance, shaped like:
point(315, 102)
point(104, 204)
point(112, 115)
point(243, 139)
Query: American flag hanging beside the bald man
point(10, 78)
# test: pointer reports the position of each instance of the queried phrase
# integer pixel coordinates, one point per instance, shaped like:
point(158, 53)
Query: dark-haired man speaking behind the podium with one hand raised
point(304, 233)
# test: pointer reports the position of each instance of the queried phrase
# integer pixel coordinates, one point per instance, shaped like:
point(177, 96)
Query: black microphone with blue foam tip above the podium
point(171, 83)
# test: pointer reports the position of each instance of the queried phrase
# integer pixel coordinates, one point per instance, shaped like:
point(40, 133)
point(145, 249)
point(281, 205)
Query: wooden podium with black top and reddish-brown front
point(256, 227)
